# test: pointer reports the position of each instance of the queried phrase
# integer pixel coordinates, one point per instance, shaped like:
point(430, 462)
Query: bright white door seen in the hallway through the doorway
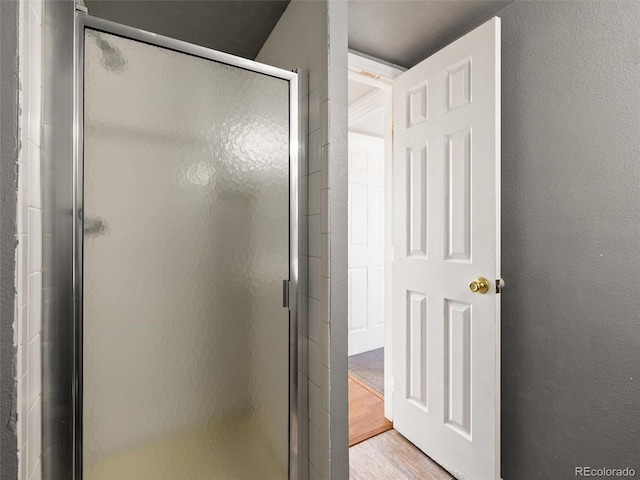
point(366, 243)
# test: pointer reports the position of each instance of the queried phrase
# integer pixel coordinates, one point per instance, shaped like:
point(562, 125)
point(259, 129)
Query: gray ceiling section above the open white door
point(404, 32)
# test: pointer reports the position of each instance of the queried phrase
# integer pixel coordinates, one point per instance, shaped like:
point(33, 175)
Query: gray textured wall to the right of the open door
point(571, 237)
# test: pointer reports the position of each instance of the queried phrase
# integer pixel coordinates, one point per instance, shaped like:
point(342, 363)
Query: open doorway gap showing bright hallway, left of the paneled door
point(369, 122)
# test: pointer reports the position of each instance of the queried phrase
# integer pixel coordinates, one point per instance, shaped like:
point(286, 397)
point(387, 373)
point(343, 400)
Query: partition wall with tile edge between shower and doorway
point(301, 40)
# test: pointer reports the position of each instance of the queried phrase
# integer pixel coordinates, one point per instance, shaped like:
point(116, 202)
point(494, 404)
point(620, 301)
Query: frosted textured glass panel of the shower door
point(186, 244)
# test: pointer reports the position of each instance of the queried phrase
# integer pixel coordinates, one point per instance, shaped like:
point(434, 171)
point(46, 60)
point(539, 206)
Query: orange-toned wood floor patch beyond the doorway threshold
point(366, 412)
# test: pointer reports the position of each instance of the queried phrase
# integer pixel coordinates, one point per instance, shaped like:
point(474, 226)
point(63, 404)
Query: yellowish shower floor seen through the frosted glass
point(232, 450)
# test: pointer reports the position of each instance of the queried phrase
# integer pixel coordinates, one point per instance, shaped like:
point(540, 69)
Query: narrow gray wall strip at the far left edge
point(8, 158)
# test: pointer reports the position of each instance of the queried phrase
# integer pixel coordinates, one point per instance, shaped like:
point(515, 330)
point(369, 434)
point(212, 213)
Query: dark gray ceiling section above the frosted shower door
point(236, 27)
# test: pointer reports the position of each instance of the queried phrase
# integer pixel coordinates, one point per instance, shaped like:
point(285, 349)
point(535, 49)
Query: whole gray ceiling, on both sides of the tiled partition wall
point(402, 32)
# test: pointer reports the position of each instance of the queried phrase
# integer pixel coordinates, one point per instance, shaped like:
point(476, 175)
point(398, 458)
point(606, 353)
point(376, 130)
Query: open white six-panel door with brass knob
point(446, 339)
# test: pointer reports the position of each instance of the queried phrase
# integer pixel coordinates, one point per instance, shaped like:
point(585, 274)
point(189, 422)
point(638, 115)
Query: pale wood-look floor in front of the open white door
point(390, 456)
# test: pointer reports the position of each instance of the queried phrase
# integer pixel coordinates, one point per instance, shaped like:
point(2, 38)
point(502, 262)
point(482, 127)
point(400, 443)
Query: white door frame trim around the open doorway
point(380, 74)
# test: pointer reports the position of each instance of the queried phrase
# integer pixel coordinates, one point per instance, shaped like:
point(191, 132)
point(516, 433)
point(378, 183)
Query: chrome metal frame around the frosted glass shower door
point(66, 408)
